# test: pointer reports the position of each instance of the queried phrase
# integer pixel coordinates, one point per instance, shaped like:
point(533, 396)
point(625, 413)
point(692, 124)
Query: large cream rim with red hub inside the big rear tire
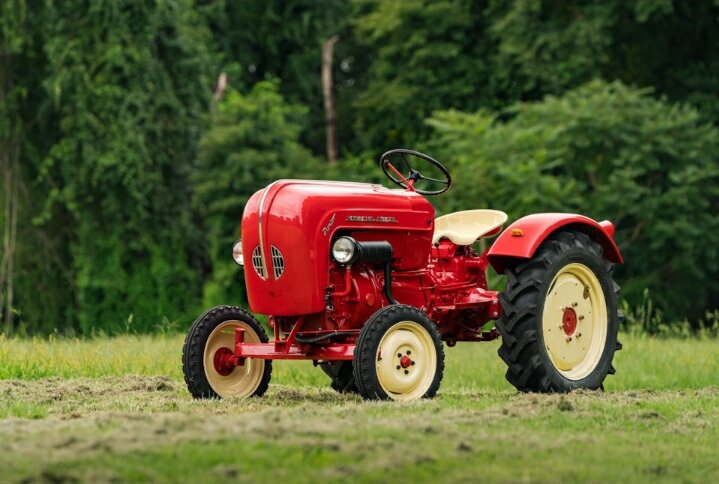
point(574, 321)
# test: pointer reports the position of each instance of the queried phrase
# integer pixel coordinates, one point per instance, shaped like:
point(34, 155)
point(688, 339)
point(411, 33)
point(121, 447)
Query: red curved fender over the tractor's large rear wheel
point(521, 239)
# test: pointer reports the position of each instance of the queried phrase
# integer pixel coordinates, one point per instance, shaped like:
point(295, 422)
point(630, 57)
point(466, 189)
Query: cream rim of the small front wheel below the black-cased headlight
point(406, 361)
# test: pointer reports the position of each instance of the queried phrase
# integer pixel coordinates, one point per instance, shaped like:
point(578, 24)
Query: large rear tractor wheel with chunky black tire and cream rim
point(560, 319)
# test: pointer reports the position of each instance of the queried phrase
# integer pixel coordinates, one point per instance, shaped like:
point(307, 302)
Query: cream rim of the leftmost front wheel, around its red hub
point(244, 379)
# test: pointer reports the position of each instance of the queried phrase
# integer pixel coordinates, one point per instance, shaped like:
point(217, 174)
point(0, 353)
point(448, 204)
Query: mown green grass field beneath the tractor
point(117, 409)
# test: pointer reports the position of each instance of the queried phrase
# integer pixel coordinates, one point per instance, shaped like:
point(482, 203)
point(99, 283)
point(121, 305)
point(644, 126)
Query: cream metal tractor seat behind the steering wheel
point(464, 228)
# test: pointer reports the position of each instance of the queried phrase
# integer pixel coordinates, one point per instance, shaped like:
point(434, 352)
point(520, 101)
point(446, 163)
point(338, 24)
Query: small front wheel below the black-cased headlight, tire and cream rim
point(399, 355)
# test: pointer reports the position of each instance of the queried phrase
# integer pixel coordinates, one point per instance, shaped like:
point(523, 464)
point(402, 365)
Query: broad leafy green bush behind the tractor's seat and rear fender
point(611, 152)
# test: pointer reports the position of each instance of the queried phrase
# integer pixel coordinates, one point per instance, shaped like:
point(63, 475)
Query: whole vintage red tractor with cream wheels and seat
point(366, 283)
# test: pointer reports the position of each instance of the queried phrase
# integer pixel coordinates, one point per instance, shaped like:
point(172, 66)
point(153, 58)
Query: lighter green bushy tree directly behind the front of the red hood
point(252, 140)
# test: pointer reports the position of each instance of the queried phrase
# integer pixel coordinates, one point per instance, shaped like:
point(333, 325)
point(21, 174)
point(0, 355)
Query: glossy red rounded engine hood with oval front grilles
point(289, 226)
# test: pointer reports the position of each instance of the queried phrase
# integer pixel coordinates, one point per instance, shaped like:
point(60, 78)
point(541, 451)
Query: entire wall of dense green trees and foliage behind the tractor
point(123, 180)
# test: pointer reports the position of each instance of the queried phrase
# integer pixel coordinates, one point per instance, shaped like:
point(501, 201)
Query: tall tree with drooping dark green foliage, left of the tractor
point(130, 84)
